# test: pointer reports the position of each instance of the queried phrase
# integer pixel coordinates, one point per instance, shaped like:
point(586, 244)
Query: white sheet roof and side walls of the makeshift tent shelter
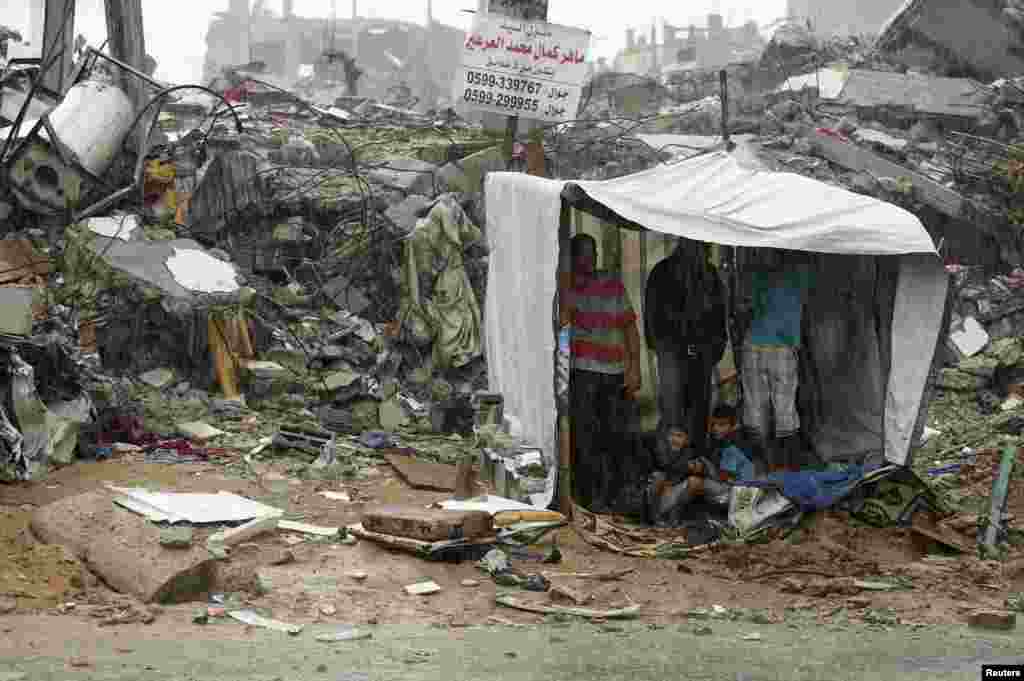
point(874, 320)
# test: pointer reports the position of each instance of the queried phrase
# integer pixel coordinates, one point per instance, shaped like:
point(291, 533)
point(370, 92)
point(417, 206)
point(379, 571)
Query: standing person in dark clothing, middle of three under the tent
point(686, 325)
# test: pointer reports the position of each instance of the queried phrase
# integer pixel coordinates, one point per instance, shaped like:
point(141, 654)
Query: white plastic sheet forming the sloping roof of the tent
point(720, 199)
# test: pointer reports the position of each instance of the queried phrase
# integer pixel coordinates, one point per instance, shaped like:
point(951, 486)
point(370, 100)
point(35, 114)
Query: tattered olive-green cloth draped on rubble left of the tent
point(440, 306)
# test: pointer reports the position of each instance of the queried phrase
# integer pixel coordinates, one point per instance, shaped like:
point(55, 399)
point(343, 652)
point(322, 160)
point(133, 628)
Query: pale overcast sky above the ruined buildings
point(176, 30)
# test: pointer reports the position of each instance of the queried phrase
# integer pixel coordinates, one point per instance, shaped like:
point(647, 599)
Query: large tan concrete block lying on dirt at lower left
point(124, 549)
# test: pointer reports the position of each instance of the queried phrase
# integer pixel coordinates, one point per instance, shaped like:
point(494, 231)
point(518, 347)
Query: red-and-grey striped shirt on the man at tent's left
point(602, 313)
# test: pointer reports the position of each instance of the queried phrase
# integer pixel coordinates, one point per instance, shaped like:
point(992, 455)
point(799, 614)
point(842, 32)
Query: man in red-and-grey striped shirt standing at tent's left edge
point(606, 361)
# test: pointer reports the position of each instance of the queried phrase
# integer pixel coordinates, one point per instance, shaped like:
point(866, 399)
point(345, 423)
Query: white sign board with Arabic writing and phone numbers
point(530, 70)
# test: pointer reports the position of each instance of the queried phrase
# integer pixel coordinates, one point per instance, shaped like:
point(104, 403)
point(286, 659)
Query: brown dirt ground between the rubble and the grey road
point(812, 577)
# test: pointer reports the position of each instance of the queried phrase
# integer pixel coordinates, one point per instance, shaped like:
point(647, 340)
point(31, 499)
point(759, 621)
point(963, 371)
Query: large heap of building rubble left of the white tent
point(329, 257)
